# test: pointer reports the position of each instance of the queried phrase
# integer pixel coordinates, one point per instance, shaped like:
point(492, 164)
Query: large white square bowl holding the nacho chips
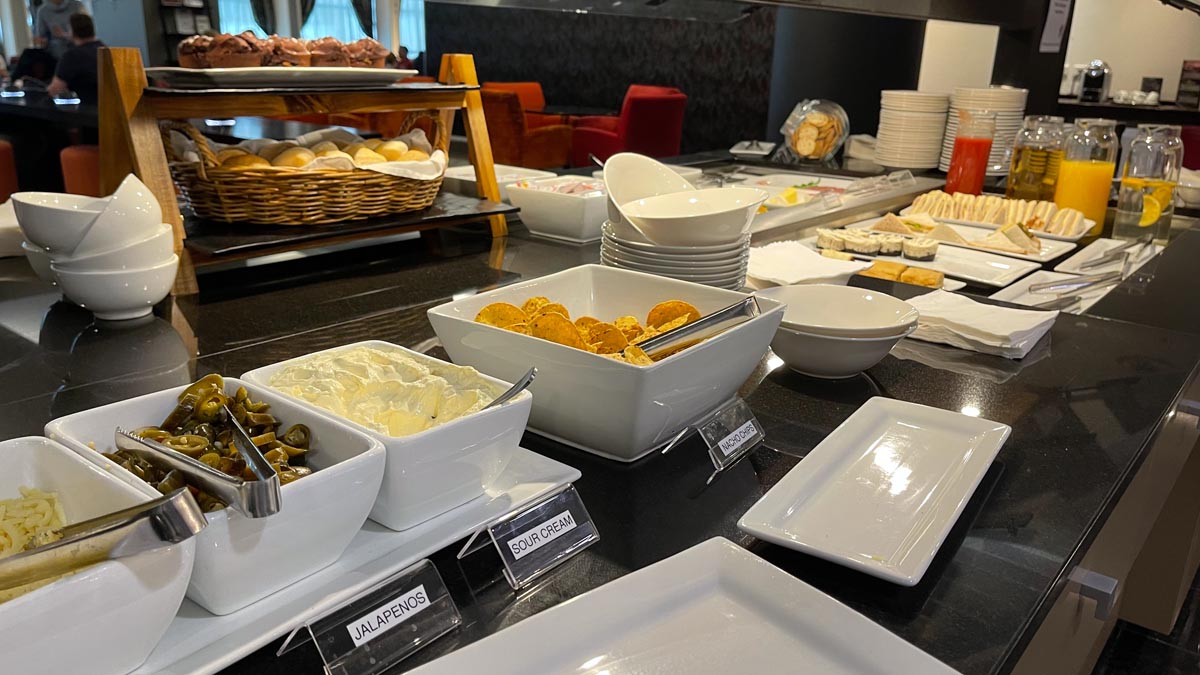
point(616, 410)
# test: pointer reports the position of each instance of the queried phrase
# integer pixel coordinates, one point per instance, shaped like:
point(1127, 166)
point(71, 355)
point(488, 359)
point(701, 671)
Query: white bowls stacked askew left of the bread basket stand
point(113, 256)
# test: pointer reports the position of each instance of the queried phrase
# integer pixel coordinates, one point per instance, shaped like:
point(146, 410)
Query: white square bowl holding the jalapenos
point(242, 560)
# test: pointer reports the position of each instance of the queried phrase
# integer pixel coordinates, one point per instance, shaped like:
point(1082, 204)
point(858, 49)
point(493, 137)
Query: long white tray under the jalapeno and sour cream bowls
point(199, 643)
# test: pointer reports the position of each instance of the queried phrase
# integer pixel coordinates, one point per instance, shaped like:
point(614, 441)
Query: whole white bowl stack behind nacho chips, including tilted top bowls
point(661, 224)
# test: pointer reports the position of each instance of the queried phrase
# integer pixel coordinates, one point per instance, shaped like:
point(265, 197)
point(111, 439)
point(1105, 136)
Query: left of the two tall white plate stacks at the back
point(911, 129)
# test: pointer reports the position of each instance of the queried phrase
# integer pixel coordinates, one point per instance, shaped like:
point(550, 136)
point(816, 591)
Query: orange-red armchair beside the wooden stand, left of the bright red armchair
point(514, 144)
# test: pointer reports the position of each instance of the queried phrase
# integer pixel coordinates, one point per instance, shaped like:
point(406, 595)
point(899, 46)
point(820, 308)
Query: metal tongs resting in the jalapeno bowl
point(254, 499)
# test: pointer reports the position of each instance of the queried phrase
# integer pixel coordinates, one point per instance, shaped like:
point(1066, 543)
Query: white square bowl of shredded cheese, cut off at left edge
point(106, 618)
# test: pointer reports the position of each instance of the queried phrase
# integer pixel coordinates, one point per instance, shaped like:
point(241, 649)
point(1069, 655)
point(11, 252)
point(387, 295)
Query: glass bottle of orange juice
point(1085, 178)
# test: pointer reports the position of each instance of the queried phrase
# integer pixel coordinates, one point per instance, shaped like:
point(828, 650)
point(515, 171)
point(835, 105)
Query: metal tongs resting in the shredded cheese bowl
point(163, 522)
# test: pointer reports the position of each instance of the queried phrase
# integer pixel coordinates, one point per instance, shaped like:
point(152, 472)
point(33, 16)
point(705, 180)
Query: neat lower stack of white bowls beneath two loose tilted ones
point(723, 266)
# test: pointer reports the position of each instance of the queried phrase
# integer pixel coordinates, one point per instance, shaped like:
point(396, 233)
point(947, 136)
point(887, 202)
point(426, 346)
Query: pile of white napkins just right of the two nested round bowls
point(955, 320)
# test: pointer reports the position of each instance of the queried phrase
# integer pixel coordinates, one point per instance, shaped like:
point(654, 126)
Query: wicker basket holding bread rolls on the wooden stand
point(296, 196)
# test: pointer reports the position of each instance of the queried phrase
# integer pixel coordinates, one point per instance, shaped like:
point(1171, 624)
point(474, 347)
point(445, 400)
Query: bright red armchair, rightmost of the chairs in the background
point(651, 123)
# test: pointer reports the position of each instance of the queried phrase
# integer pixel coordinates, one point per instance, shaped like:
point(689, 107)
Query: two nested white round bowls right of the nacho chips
point(837, 332)
